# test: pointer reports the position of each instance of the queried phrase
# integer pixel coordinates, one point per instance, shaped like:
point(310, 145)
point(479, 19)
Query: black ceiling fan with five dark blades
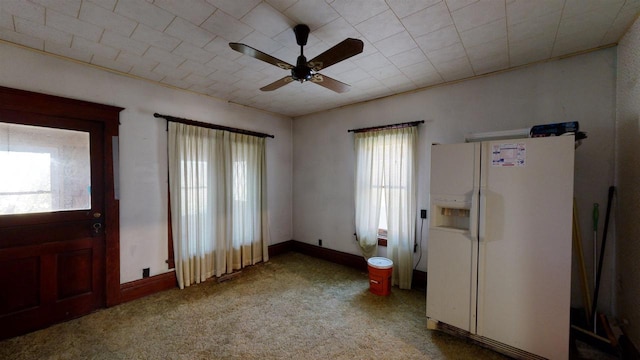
point(307, 70)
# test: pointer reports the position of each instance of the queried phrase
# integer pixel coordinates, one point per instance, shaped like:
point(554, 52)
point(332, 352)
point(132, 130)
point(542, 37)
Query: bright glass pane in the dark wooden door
point(43, 169)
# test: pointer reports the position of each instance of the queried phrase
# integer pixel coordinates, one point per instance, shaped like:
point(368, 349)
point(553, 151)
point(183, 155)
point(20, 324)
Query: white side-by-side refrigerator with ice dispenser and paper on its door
point(499, 247)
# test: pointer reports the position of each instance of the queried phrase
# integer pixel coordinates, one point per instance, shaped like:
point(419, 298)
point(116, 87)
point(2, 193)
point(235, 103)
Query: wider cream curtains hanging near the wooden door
point(217, 185)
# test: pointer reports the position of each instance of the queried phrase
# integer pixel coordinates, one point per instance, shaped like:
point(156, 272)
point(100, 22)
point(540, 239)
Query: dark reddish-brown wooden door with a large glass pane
point(52, 219)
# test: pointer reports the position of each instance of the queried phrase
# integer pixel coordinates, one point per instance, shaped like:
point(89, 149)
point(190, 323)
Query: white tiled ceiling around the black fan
point(408, 44)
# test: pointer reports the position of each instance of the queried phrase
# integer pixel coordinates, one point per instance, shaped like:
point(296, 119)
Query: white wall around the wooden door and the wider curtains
point(143, 146)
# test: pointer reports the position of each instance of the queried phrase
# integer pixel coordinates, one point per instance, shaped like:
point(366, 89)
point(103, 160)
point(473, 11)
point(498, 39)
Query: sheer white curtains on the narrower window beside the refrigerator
point(385, 175)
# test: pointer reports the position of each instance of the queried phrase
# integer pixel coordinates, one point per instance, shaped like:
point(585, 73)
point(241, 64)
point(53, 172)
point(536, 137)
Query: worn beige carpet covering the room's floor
point(292, 307)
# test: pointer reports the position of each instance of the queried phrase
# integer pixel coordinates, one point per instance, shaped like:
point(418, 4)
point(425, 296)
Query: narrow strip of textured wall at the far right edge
point(628, 178)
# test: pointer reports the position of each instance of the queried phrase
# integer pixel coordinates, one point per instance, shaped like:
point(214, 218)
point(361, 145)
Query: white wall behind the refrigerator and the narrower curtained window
point(575, 89)
